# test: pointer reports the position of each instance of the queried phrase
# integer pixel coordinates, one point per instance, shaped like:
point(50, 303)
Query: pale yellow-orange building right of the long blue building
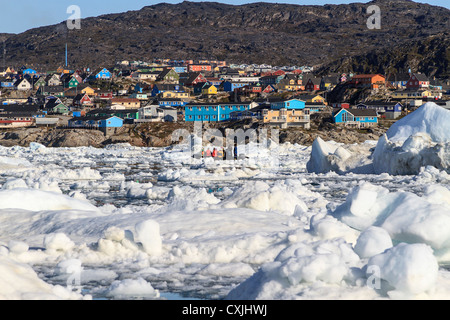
point(287, 117)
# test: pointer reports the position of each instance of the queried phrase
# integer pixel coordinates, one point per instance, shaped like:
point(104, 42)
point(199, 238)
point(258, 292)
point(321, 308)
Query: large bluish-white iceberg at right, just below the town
point(418, 140)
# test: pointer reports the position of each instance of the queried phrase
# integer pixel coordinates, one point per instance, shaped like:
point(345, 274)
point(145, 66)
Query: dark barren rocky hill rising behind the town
point(412, 35)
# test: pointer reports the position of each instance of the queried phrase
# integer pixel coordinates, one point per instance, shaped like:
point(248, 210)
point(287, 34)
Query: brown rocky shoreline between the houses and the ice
point(160, 135)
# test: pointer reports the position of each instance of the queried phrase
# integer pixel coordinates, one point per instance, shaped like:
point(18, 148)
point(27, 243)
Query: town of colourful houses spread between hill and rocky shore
point(207, 91)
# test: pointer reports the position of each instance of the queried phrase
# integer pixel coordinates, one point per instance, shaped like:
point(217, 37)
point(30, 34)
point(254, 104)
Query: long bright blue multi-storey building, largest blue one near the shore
point(212, 112)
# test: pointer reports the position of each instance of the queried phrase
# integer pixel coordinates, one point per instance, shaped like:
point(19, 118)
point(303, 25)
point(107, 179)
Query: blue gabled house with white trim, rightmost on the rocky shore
point(360, 118)
